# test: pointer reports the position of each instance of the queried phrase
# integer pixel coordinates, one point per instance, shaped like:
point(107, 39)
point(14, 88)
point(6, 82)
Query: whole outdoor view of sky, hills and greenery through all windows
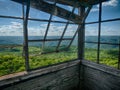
point(45, 53)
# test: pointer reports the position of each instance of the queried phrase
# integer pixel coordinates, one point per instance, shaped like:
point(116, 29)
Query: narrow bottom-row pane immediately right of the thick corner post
point(91, 52)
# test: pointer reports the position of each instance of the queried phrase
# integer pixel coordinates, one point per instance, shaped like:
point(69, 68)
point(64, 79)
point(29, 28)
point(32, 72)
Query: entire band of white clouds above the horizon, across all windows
point(15, 29)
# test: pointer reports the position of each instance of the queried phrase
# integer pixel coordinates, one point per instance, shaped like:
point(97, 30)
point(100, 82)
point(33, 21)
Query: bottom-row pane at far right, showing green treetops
point(109, 55)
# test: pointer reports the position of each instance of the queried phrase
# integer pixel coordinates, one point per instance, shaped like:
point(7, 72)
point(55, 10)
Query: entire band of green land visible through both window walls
point(11, 60)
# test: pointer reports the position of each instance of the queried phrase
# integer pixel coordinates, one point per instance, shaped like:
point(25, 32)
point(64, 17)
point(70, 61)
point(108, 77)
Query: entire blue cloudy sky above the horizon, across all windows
point(12, 27)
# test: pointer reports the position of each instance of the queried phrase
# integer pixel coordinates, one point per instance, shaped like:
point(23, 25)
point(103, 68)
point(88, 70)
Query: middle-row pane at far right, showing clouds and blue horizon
point(110, 32)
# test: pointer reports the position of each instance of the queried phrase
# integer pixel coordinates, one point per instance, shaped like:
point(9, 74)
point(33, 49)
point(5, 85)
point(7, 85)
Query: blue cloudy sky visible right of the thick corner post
point(110, 10)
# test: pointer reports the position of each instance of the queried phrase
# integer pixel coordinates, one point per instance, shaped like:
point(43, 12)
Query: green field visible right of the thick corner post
point(107, 56)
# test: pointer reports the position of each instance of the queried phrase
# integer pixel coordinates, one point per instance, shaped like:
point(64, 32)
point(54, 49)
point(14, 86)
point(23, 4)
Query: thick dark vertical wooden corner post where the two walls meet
point(81, 40)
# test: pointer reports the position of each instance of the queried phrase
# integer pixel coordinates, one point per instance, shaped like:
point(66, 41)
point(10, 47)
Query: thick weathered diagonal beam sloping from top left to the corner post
point(49, 8)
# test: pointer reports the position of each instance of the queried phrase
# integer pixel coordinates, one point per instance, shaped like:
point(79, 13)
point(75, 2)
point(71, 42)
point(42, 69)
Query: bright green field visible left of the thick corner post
point(11, 60)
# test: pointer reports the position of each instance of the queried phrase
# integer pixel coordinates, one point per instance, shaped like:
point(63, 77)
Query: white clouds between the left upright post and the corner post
point(54, 30)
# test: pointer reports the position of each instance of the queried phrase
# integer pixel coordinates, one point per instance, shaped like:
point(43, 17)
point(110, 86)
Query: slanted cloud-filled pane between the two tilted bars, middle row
point(55, 30)
